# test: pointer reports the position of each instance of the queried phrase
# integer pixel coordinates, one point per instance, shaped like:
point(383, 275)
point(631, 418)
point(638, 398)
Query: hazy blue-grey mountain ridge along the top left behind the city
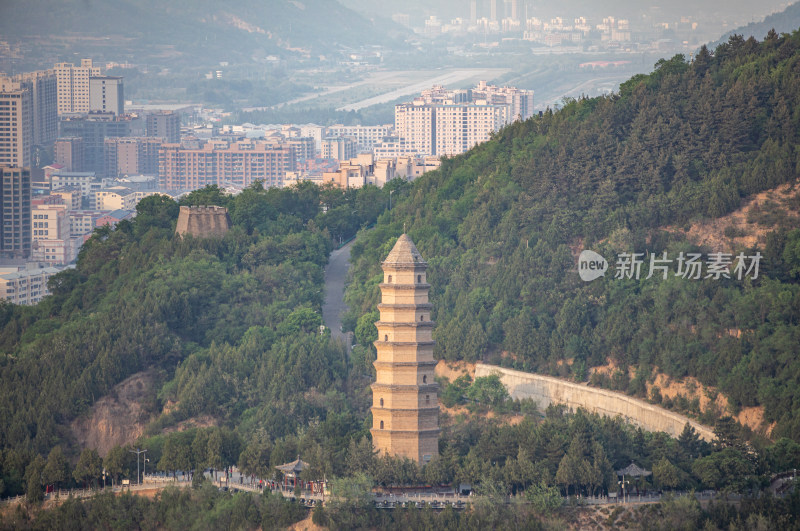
point(205, 29)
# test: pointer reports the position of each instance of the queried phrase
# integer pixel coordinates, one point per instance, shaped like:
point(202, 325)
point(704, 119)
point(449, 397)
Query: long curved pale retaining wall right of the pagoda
point(546, 390)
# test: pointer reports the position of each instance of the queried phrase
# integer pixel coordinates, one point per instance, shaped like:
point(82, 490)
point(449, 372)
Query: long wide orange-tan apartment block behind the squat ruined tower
point(218, 162)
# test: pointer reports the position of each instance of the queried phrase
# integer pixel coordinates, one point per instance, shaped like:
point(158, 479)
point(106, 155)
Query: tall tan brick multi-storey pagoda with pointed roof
point(405, 408)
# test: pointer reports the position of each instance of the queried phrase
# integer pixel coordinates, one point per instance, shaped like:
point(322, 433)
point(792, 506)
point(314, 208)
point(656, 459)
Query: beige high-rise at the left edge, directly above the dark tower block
point(16, 124)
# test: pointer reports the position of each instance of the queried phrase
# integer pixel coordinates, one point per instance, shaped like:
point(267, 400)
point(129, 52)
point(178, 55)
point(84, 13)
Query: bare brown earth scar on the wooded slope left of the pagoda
point(117, 418)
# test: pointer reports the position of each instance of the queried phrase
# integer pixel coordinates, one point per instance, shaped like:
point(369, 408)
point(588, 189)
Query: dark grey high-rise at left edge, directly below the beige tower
point(15, 196)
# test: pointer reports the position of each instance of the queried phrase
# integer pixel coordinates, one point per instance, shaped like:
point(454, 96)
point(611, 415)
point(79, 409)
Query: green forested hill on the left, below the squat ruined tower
point(230, 326)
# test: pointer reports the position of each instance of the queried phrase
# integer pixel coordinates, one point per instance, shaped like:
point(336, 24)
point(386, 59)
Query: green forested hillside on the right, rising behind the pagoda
point(501, 227)
